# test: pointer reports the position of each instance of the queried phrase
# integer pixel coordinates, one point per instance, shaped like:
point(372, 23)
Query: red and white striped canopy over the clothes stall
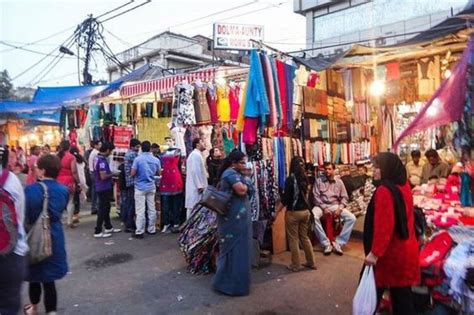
point(164, 85)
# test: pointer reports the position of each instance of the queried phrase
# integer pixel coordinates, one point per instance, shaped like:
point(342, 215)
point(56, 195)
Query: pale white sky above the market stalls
point(25, 21)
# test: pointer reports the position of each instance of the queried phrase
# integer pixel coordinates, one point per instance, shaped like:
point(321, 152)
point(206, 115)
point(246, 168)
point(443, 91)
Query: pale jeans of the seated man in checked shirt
point(348, 220)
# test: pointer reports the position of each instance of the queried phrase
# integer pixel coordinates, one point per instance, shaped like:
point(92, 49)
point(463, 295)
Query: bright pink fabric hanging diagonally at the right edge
point(447, 104)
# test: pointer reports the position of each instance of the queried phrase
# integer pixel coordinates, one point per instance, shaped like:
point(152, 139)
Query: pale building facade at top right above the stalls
point(342, 23)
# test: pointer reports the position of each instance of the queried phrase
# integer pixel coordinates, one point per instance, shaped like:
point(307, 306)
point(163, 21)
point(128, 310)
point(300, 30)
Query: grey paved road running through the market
point(121, 275)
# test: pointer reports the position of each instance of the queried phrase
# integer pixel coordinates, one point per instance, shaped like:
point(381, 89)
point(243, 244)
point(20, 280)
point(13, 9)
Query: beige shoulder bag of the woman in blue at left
point(39, 236)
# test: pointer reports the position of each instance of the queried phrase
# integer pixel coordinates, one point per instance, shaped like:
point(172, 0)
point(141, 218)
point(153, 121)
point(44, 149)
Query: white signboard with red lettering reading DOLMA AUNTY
point(236, 36)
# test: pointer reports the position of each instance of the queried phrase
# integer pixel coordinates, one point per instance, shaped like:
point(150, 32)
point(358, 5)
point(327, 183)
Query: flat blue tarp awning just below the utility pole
point(68, 94)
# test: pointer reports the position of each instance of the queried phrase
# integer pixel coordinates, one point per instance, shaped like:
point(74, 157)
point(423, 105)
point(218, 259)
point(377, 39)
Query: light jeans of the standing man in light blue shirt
point(144, 200)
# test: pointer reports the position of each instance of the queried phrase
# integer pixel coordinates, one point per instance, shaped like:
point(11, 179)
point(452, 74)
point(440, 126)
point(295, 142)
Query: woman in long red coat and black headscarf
point(390, 242)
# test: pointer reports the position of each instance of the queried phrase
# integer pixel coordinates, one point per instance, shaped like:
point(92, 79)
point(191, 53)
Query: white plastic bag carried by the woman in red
point(365, 299)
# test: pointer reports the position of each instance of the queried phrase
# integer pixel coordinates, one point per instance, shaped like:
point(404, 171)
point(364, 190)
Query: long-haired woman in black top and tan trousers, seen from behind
point(297, 217)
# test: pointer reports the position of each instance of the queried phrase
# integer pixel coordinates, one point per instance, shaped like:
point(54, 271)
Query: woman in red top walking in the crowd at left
point(68, 177)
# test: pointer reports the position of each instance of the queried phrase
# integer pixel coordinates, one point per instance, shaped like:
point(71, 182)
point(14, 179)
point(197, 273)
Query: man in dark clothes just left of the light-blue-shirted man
point(129, 207)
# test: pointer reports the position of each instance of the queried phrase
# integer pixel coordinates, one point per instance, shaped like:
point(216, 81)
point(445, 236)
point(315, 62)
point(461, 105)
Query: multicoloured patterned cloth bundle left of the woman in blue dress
point(199, 241)
